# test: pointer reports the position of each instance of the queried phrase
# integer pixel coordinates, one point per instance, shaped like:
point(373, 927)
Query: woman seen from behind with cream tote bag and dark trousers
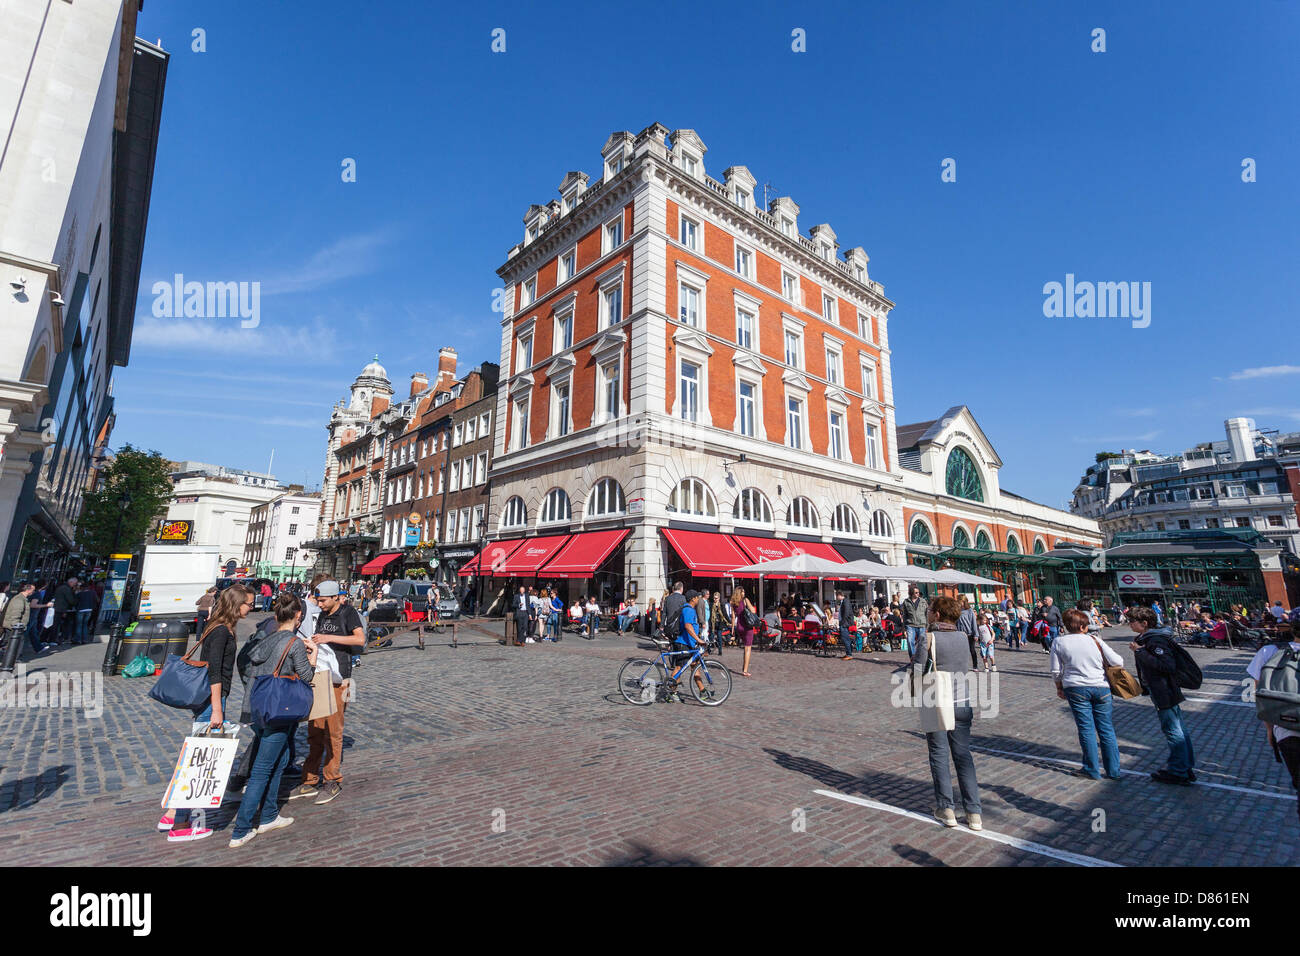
point(942, 677)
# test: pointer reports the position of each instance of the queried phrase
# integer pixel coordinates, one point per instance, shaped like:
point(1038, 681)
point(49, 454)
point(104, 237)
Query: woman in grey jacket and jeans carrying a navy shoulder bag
point(281, 656)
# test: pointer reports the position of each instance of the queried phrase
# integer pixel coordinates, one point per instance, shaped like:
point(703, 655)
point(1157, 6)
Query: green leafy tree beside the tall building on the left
point(145, 478)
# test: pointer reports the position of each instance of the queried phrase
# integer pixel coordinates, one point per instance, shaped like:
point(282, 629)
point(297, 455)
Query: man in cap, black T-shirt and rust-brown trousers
point(340, 626)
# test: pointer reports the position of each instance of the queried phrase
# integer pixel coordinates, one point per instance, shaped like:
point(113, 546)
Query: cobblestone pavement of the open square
point(491, 755)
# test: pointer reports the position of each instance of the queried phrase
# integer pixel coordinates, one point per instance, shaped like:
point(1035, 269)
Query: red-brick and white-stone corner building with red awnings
point(688, 383)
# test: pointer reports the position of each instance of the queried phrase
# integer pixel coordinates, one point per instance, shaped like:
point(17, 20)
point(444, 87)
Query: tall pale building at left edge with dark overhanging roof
point(81, 101)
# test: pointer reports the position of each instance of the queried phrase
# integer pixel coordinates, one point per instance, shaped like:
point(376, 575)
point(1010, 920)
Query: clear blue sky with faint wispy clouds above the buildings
point(1124, 166)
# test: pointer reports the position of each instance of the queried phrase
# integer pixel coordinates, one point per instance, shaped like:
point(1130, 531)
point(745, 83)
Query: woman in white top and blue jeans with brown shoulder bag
point(1078, 668)
